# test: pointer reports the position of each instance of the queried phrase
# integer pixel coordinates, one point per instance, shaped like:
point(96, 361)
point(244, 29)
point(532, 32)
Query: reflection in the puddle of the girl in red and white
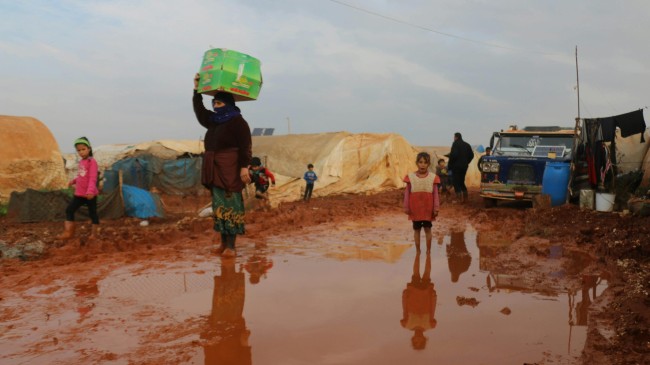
point(419, 303)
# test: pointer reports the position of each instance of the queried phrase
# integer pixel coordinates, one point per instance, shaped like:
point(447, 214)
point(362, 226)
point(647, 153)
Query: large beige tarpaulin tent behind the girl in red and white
point(344, 162)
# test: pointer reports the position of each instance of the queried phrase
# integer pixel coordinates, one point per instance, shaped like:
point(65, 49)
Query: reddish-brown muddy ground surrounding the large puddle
point(617, 245)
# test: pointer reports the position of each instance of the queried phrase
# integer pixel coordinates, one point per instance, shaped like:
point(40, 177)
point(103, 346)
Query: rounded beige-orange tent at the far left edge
point(29, 157)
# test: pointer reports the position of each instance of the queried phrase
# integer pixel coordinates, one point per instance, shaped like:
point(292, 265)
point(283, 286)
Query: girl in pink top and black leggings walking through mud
point(85, 192)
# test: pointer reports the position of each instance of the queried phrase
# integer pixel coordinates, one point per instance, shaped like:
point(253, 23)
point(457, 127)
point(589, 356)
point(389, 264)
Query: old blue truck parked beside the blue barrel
point(515, 169)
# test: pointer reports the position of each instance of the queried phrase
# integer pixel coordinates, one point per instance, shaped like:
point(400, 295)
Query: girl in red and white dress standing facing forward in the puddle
point(421, 199)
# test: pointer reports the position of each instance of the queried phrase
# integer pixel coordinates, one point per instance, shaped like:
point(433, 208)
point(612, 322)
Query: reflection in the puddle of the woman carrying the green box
point(227, 335)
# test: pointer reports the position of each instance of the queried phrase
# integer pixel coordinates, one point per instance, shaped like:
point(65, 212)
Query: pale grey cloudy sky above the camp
point(121, 71)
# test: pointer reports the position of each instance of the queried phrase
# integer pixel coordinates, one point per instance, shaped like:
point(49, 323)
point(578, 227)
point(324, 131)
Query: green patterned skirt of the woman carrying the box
point(228, 211)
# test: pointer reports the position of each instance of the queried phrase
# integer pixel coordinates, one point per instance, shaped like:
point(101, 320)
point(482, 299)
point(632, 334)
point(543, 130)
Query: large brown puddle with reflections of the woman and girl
point(358, 294)
